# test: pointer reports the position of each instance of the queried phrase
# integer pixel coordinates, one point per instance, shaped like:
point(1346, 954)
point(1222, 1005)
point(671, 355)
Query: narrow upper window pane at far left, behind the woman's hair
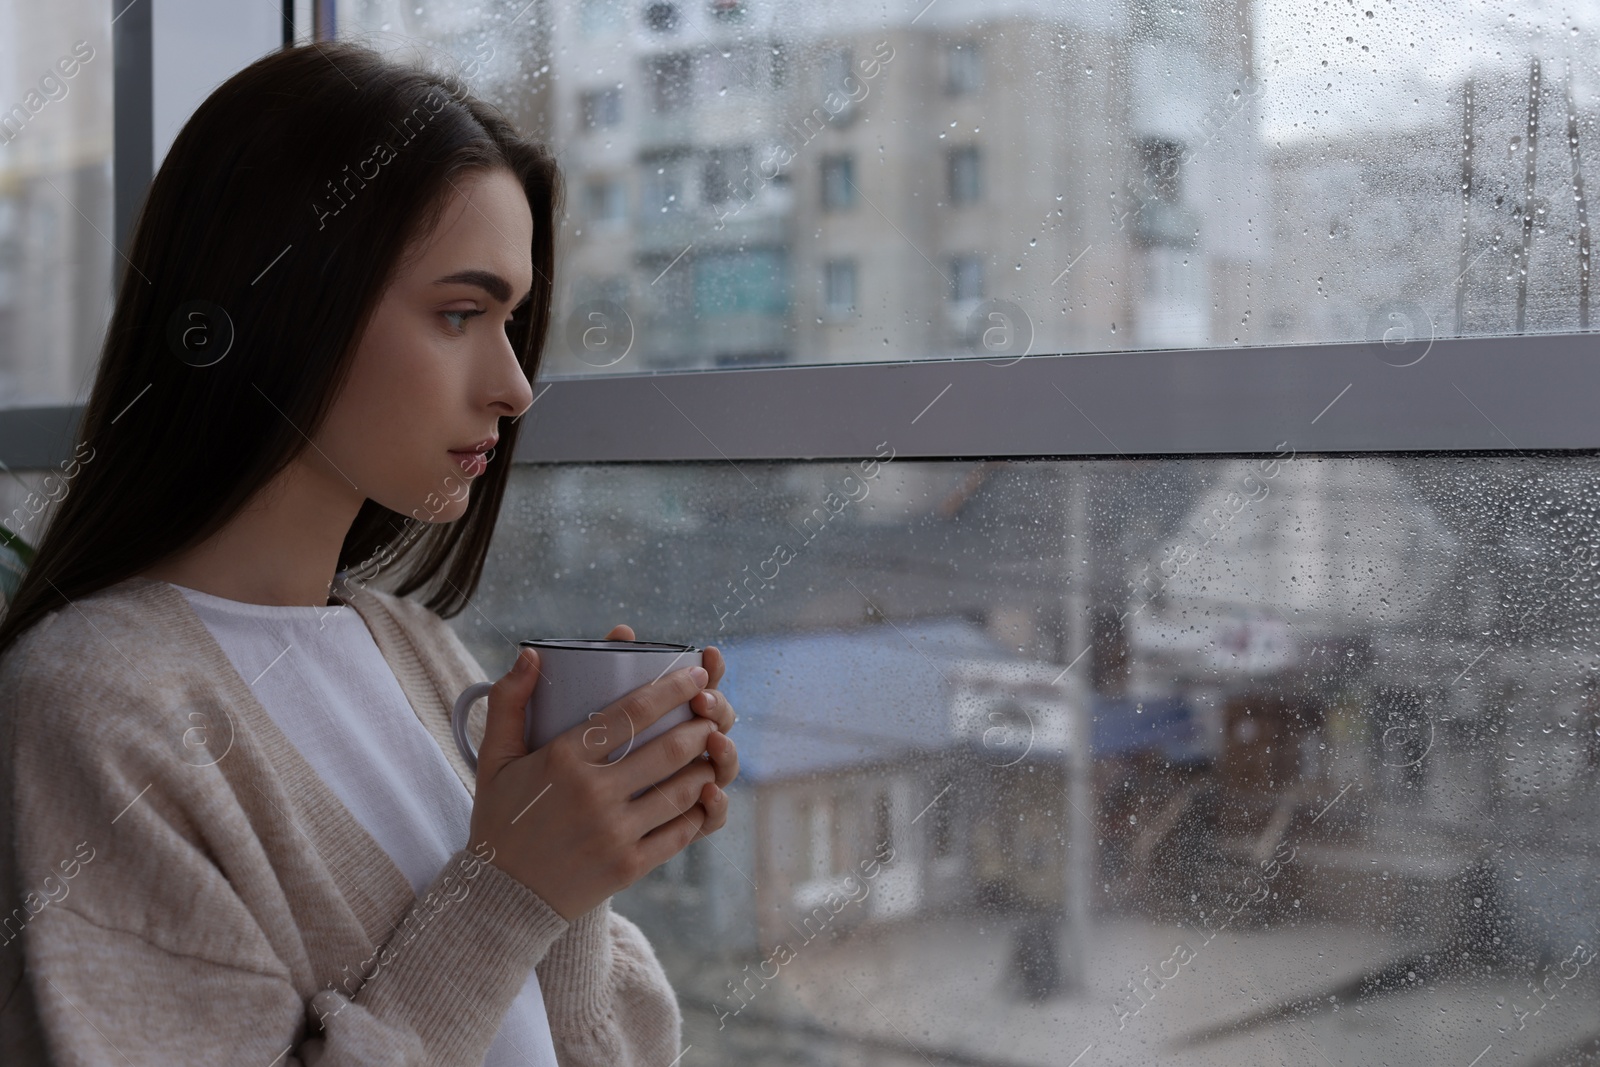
point(57, 260)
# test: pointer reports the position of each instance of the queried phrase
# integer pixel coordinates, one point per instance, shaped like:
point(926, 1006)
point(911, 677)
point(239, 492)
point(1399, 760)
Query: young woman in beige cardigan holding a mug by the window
point(236, 828)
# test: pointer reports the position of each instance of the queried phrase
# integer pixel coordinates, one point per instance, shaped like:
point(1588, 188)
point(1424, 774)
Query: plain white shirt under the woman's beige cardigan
point(319, 674)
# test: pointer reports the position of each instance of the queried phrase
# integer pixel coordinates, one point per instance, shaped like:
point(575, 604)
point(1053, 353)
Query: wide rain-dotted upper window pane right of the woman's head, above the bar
point(1140, 177)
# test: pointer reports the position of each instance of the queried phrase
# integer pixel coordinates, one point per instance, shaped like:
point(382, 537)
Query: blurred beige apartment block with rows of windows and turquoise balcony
point(758, 185)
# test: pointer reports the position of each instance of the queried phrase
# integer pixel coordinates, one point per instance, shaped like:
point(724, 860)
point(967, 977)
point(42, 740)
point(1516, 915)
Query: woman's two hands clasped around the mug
point(562, 820)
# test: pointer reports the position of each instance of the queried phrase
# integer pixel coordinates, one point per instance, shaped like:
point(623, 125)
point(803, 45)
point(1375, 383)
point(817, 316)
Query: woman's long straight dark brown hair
point(278, 218)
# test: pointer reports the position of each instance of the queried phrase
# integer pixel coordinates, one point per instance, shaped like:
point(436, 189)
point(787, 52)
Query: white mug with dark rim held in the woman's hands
point(580, 677)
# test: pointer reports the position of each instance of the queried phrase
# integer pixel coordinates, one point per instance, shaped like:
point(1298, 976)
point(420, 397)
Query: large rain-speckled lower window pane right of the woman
point(1281, 759)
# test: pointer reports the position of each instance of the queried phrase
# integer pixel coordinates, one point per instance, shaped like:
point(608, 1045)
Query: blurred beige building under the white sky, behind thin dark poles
point(1466, 222)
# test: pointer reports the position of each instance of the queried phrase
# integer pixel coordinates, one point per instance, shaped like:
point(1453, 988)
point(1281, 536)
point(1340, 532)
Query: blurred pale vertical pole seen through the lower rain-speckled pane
point(1081, 829)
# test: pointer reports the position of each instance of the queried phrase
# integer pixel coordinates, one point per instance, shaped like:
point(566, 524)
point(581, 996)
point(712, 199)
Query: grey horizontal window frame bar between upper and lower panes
point(1478, 394)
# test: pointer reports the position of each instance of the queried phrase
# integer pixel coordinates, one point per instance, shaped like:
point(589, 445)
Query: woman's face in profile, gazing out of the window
point(434, 372)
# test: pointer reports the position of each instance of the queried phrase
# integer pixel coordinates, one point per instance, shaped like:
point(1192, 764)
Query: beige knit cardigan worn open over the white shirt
point(180, 887)
